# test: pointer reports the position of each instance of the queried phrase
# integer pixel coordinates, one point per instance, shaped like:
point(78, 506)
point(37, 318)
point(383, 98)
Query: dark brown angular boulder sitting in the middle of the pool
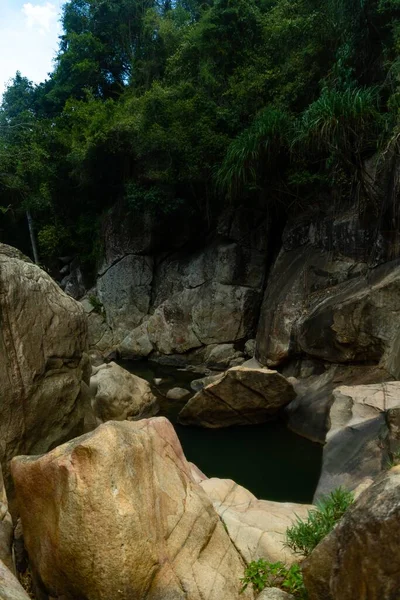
point(242, 396)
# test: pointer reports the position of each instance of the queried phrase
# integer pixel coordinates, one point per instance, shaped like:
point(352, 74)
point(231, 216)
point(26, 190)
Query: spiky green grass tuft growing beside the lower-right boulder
point(304, 536)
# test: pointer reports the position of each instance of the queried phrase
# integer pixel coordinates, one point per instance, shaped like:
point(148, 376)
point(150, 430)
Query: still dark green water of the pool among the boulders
point(269, 460)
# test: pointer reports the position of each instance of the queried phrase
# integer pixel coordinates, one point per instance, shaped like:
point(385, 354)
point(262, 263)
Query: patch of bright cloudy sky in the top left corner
point(28, 38)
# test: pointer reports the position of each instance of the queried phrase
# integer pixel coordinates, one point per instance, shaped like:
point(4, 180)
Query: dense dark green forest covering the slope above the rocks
point(192, 104)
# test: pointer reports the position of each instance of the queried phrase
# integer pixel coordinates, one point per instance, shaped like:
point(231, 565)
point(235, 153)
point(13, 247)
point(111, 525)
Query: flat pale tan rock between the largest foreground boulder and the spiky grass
point(256, 527)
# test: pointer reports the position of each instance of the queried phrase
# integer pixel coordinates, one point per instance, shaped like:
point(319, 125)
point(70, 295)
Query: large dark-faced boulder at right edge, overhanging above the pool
point(355, 323)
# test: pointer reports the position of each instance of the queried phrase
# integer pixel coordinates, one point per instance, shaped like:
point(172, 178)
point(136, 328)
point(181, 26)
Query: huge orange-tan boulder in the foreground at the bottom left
point(126, 518)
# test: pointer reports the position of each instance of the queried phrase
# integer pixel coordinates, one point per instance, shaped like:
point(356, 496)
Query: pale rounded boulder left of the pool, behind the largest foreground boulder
point(119, 395)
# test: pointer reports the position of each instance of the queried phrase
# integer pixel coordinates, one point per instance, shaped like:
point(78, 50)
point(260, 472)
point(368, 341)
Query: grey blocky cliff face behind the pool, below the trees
point(176, 297)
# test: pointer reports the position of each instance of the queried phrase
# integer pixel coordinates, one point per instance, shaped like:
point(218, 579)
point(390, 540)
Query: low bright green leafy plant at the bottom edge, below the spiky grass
point(261, 574)
